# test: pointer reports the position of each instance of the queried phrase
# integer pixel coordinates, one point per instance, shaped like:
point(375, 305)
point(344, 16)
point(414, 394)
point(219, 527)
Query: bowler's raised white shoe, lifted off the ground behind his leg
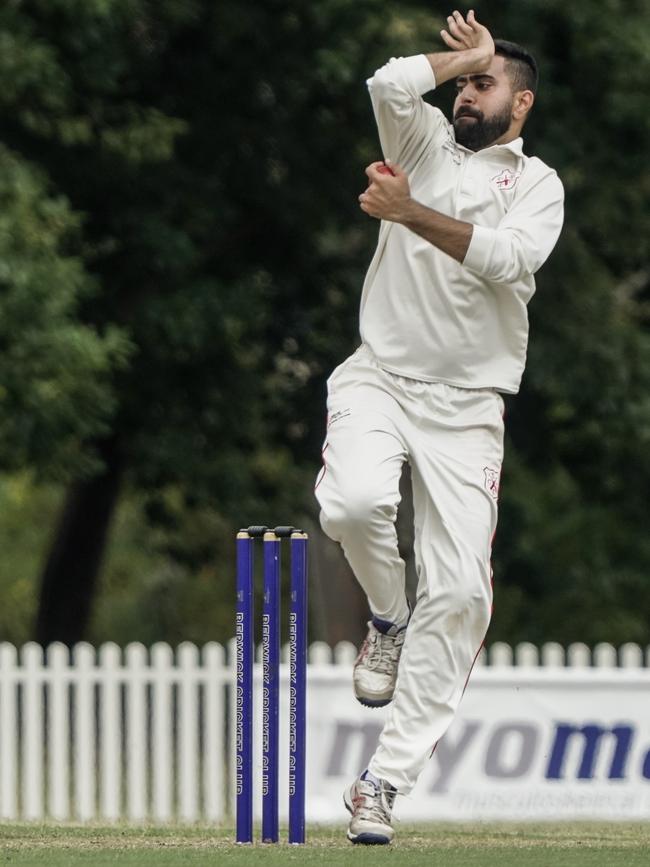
point(375, 669)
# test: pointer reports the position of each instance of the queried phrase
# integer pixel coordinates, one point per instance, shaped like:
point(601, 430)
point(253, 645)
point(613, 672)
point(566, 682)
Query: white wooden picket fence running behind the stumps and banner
point(145, 734)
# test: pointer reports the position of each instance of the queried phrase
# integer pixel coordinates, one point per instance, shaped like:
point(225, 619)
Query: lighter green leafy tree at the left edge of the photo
point(55, 371)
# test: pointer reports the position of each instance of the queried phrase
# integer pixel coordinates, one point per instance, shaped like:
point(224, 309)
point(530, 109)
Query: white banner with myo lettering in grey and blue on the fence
point(525, 745)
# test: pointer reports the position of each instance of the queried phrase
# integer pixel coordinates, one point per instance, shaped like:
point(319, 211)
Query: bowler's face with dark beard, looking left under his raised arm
point(483, 107)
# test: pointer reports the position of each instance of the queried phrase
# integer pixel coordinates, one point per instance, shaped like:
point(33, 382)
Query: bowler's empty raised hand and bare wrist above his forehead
point(472, 48)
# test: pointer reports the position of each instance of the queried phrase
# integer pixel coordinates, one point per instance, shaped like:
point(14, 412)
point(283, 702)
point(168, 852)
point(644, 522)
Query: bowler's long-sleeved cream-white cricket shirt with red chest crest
point(423, 314)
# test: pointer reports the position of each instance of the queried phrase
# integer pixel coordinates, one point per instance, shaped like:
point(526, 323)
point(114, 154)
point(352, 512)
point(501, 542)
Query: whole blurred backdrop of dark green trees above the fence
point(181, 258)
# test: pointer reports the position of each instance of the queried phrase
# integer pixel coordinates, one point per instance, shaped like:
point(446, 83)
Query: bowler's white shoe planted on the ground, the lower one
point(370, 801)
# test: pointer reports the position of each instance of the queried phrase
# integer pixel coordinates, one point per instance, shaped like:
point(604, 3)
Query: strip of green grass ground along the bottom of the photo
point(538, 845)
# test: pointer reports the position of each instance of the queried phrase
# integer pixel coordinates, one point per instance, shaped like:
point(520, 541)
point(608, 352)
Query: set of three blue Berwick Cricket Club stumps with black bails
point(271, 637)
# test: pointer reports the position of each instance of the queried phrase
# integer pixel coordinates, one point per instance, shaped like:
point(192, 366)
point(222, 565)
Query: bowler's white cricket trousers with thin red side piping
point(453, 441)
